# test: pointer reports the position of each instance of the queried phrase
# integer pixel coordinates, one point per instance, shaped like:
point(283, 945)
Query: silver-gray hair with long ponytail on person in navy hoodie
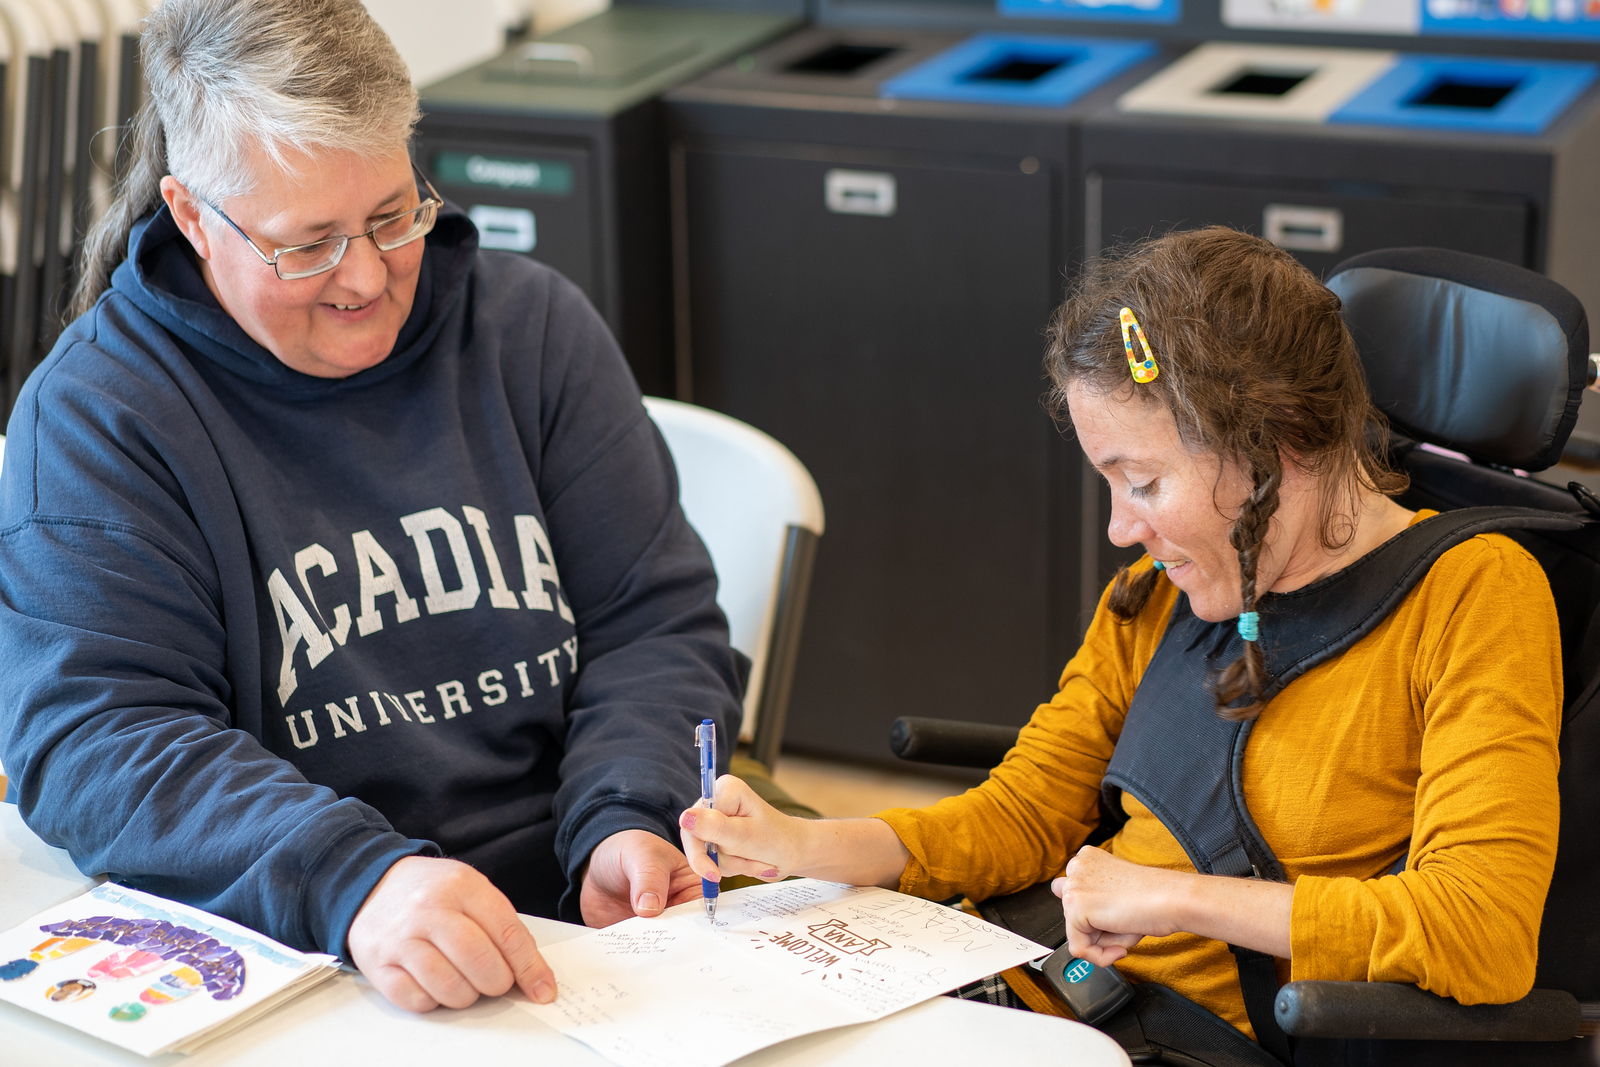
point(231, 79)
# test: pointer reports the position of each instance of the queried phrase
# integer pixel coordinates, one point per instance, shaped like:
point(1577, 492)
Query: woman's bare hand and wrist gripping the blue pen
point(756, 839)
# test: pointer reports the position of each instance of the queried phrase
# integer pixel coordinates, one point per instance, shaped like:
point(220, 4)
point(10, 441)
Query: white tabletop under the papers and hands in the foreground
point(346, 1021)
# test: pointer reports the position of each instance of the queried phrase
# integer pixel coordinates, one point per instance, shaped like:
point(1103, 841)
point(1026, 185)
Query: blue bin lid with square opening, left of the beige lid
point(1028, 70)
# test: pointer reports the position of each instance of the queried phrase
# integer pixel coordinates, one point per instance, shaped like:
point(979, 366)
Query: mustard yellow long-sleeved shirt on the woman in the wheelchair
point(1433, 738)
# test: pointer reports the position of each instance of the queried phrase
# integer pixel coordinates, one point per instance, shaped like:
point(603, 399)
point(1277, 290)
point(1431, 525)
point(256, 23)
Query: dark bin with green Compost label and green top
point(556, 150)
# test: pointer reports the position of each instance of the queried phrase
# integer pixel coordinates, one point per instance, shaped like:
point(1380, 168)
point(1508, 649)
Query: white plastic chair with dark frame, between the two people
point(761, 516)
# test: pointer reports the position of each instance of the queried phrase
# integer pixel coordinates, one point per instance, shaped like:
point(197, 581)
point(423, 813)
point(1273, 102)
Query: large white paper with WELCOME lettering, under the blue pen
point(783, 961)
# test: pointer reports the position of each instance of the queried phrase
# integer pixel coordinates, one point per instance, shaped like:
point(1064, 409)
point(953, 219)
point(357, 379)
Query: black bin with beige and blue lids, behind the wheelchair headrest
point(1428, 151)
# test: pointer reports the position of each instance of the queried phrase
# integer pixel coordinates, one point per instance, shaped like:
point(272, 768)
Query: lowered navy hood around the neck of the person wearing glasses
point(164, 281)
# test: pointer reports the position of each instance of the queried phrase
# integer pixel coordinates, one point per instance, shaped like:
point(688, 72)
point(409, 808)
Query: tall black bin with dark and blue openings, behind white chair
point(868, 278)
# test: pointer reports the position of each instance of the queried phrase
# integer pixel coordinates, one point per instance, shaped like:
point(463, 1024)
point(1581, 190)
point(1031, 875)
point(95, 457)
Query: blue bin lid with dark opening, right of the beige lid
point(1470, 94)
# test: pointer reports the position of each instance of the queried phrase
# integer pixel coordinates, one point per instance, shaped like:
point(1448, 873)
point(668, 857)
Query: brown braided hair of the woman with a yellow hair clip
point(1255, 366)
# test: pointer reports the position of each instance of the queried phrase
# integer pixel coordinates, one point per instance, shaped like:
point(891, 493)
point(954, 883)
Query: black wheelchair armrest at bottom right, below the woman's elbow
point(1396, 1012)
